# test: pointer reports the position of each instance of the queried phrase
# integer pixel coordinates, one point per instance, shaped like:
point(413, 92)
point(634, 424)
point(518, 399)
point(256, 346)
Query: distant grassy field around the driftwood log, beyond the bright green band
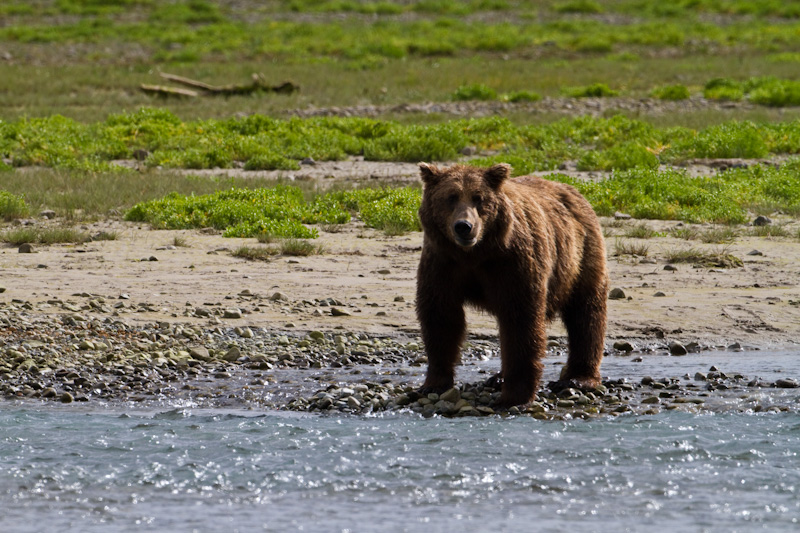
point(85, 59)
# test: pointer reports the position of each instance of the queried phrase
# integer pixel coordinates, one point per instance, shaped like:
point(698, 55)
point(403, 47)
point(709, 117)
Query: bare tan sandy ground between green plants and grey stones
point(372, 278)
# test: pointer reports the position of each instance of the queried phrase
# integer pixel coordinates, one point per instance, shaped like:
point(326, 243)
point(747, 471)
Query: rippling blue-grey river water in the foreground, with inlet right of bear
point(72, 468)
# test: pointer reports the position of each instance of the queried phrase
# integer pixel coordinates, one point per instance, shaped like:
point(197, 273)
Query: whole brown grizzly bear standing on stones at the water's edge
point(522, 249)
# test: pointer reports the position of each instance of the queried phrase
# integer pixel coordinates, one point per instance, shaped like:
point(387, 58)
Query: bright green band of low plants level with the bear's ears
point(258, 142)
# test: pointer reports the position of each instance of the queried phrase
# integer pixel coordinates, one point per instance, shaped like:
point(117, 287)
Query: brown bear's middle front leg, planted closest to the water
point(523, 342)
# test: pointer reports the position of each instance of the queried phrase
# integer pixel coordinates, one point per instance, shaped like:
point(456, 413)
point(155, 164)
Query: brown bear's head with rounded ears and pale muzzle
point(461, 202)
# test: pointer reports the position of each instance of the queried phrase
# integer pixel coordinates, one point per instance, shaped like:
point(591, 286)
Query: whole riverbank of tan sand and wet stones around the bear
point(139, 319)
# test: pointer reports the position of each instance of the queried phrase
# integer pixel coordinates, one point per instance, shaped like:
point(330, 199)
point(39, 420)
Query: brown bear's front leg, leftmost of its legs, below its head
point(443, 326)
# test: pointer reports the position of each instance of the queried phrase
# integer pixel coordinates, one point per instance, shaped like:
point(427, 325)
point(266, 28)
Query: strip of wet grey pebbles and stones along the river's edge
point(80, 357)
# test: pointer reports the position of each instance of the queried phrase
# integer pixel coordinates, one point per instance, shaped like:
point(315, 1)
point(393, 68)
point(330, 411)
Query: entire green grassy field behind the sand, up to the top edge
point(70, 103)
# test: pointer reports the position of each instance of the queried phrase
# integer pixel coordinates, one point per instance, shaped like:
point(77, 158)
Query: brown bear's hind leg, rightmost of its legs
point(585, 319)
